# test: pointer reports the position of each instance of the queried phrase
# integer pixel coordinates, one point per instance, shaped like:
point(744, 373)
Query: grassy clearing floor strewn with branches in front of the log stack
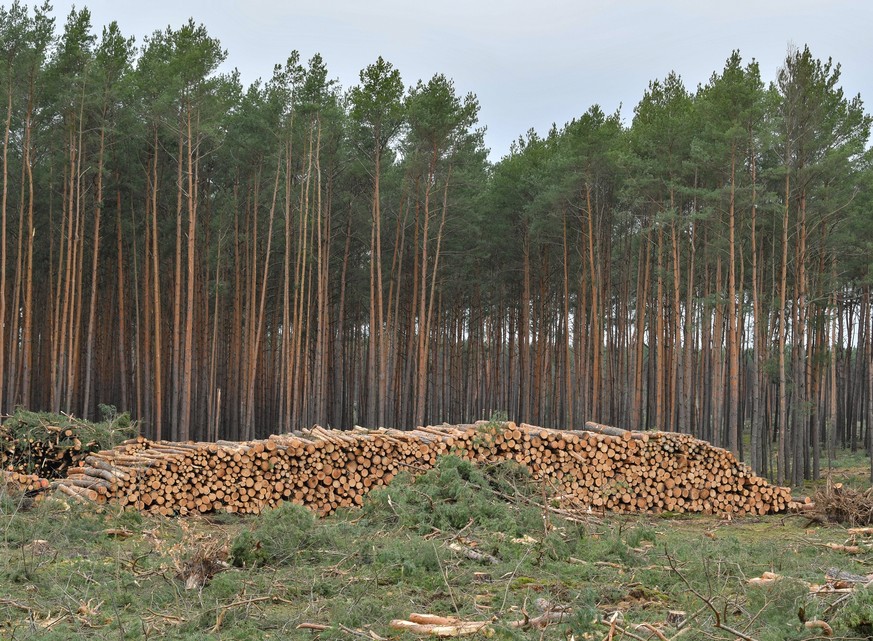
point(479, 545)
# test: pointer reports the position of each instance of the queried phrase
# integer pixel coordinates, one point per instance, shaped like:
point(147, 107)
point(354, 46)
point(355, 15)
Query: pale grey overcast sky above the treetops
point(531, 63)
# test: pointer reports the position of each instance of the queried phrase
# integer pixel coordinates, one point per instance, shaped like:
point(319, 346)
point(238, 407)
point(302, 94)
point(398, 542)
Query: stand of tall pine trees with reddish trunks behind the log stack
point(230, 261)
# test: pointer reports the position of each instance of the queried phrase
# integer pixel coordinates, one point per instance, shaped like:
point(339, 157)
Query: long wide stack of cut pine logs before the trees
point(600, 468)
